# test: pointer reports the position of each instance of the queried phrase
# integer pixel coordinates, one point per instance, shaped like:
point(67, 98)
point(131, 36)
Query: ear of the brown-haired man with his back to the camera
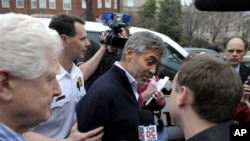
point(183, 98)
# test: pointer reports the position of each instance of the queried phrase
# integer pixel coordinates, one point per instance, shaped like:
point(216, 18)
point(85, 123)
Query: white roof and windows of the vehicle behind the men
point(169, 64)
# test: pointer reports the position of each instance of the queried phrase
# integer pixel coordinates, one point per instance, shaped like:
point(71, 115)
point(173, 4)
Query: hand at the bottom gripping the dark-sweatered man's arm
point(92, 135)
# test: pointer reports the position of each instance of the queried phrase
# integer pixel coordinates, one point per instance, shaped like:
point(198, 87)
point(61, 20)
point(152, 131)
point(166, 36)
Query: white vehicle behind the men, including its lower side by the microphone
point(169, 64)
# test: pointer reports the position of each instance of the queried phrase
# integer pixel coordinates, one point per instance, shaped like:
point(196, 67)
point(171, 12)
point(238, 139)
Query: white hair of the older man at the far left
point(24, 45)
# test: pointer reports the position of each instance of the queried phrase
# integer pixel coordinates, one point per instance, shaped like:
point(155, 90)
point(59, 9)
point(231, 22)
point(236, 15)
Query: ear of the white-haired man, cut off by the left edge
point(5, 90)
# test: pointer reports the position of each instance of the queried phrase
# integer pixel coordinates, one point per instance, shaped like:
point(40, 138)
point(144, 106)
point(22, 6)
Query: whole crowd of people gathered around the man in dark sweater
point(57, 85)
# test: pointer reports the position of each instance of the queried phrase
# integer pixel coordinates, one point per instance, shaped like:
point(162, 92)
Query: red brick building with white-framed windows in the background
point(47, 8)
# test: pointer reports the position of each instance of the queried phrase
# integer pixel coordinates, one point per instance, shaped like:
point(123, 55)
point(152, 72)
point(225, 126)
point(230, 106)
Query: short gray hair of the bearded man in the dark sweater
point(143, 40)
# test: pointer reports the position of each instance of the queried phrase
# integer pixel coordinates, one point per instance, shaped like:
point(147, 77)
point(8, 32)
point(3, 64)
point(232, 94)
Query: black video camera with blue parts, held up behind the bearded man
point(115, 22)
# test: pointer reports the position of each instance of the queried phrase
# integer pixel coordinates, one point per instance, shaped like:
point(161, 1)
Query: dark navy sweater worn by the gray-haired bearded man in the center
point(110, 102)
